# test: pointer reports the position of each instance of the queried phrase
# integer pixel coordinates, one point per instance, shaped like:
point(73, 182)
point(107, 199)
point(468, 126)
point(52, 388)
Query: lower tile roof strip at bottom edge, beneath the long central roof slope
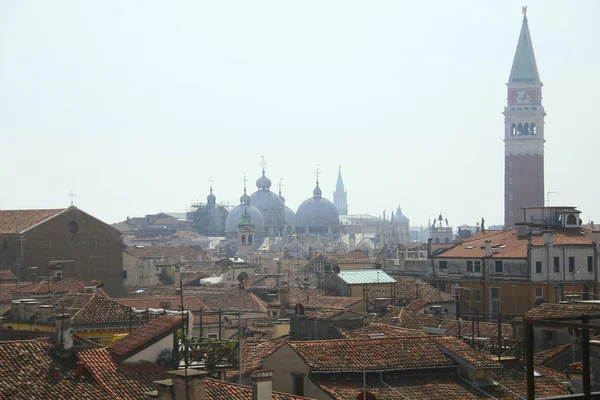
point(421, 386)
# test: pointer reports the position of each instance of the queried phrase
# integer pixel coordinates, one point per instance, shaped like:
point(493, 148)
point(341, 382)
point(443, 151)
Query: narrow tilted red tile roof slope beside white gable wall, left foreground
point(145, 335)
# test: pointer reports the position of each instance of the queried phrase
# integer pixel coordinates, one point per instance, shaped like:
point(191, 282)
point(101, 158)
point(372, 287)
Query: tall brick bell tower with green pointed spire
point(523, 133)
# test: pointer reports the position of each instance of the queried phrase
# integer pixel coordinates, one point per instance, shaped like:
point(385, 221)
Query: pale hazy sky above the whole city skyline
point(134, 104)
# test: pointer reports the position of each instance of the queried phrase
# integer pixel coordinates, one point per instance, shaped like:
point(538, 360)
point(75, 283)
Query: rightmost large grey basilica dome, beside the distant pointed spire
point(317, 215)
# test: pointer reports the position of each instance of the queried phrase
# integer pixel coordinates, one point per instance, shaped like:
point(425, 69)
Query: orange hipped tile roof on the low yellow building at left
point(100, 310)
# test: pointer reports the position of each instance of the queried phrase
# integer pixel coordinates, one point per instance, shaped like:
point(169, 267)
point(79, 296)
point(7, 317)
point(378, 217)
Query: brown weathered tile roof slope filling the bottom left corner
point(28, 372)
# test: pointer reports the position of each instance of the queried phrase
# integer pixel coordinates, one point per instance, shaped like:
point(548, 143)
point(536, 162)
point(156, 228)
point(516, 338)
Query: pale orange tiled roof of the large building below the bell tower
point(513, 246)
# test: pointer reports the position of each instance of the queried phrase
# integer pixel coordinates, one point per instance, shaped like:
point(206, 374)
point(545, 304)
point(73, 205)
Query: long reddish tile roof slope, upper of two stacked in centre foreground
point(346, 355)
